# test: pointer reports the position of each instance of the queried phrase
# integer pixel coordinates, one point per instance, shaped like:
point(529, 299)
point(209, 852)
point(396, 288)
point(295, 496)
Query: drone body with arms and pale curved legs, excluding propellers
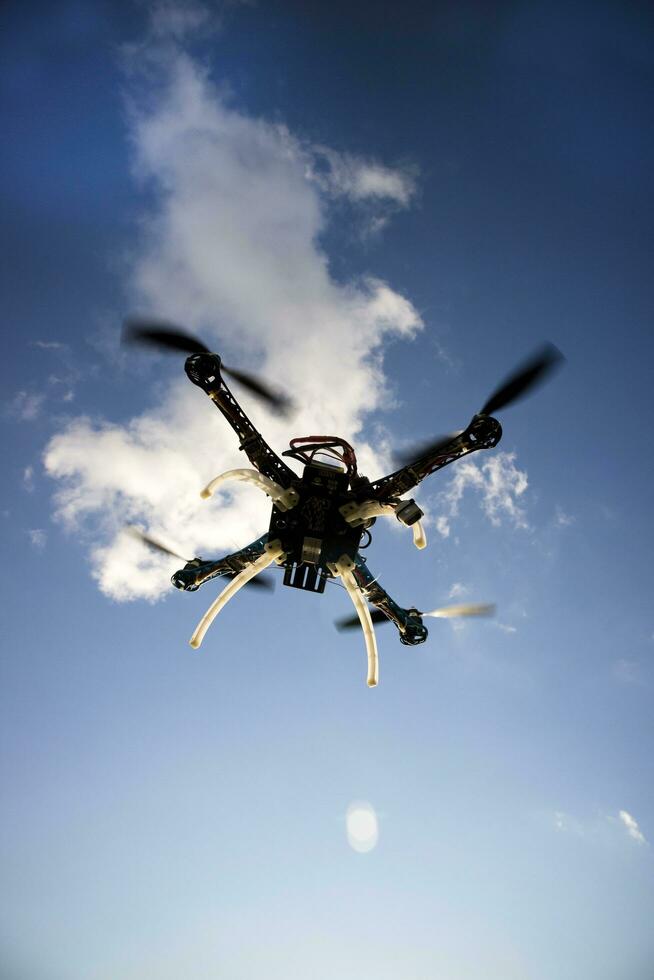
point(338, 503)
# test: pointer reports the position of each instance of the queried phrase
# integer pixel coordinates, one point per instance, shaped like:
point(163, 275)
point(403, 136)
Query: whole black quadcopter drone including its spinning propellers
point(321, 520)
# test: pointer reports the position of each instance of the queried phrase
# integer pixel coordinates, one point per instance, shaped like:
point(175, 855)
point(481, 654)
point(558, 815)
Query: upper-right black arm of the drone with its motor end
point(484, 432)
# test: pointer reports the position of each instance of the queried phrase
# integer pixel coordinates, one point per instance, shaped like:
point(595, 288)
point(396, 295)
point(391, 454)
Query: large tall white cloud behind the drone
point(230, 249)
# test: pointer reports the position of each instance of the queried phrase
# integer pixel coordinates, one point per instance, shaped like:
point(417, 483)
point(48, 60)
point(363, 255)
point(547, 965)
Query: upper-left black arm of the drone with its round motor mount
point(204, 371)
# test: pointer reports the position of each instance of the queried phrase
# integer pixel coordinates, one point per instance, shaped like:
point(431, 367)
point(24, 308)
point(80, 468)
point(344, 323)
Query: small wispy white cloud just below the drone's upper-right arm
point(499, 483)
